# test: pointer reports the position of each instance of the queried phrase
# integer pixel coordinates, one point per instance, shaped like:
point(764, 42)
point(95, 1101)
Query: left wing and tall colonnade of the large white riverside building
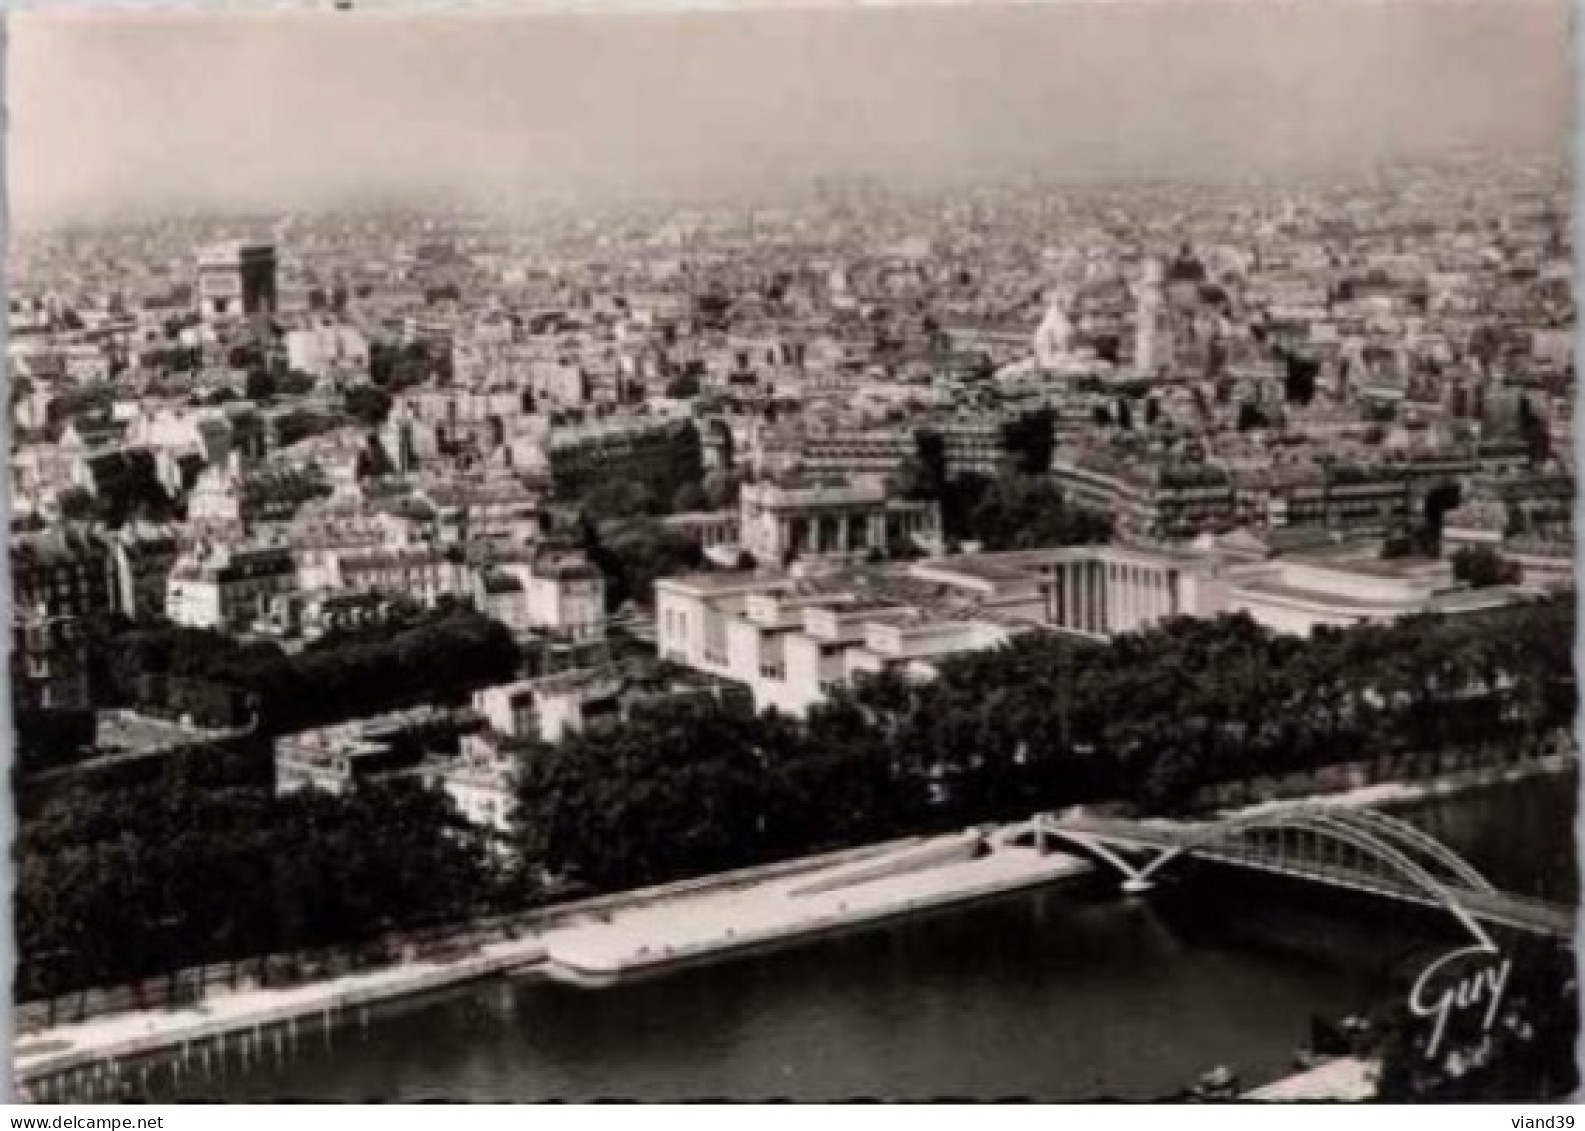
point(793, 638)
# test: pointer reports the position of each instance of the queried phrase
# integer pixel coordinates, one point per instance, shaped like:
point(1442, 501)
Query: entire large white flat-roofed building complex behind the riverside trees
point(792, 638)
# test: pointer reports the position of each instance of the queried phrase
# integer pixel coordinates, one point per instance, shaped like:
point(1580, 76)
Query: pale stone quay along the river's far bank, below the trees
point(624, 935)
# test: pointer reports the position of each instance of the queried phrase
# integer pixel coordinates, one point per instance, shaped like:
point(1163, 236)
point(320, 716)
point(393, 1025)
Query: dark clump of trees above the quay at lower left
point(116, 886)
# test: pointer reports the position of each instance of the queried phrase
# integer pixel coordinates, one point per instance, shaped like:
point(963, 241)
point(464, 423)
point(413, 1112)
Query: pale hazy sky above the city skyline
point(308, 110)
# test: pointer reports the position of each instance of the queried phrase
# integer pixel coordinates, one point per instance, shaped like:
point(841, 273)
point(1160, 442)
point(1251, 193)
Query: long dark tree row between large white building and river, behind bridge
point(1147, 720)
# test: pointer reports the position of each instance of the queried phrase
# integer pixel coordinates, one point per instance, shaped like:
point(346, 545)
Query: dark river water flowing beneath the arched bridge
point(1071, 994)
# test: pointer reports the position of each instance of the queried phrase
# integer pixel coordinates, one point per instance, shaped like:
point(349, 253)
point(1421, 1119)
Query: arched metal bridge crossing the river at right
point(1361, 850)
